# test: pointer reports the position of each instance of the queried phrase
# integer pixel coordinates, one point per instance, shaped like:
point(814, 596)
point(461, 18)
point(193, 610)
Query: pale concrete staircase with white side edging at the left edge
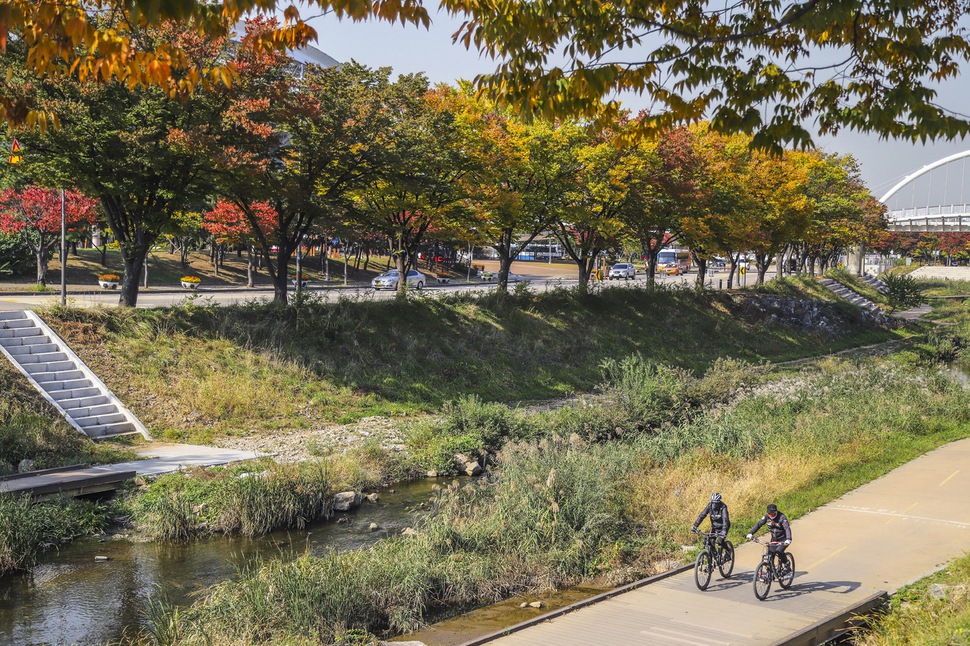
point(63, 379)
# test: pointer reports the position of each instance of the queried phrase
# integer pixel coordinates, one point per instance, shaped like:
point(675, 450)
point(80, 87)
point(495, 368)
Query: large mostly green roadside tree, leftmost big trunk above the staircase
point(144, 156)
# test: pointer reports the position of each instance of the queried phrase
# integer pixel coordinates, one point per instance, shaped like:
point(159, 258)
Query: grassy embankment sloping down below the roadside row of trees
point(196, 372)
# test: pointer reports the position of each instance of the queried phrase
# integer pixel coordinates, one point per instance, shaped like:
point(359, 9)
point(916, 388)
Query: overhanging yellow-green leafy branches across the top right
point(752, 67)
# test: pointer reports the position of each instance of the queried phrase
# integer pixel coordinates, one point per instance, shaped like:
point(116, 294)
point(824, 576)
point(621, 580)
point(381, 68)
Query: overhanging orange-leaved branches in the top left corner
point(74, 39)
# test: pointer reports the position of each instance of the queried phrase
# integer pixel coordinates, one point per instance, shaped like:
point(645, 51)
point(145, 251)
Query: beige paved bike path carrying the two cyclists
point(879, 537)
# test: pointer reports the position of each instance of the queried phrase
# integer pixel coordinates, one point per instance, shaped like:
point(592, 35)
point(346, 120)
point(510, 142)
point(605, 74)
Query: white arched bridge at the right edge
point(944, 208)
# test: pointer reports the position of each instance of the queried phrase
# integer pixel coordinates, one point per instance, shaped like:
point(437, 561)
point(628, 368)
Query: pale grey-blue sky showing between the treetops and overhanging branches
point(410, 49)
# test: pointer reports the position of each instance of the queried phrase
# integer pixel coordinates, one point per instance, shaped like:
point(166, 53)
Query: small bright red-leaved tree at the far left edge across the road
point(35, 214)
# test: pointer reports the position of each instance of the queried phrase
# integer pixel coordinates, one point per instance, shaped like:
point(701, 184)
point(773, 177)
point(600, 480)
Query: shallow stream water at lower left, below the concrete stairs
point(72, 598)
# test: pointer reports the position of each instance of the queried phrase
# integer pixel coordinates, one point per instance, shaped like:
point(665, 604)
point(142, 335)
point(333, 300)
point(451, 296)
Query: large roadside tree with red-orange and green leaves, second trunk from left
point(302, 143)
